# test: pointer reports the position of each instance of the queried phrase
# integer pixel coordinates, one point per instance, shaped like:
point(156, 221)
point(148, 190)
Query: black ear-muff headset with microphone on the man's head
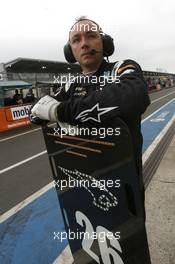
point(107, 41)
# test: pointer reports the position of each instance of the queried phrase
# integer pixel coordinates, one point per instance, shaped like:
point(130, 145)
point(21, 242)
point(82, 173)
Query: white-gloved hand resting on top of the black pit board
point(45, 109)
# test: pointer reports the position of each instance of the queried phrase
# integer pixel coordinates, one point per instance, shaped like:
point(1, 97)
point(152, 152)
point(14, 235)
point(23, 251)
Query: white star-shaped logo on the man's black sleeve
point(94, 113)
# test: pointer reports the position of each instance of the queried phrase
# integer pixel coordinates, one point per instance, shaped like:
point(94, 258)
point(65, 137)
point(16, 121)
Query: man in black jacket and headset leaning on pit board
point(87, 103)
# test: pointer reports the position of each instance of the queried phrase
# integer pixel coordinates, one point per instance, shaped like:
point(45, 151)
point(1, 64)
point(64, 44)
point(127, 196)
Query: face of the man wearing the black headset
point(84, 37)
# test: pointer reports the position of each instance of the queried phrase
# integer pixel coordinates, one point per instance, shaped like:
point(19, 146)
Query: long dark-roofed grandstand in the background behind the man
point(44, 72)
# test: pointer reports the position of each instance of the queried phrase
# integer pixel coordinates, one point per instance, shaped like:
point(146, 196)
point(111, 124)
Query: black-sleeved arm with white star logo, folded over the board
point(129, 98)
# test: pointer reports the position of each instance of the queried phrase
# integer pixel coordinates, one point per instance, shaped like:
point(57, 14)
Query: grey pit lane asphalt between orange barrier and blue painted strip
point(18, 183)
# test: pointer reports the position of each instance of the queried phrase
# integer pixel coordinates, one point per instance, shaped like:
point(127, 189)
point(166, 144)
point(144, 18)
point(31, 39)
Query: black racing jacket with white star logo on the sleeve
point(126, 96)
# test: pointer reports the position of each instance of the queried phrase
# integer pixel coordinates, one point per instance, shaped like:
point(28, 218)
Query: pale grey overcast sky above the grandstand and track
point(142, 30)
